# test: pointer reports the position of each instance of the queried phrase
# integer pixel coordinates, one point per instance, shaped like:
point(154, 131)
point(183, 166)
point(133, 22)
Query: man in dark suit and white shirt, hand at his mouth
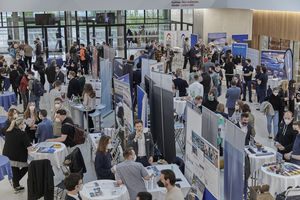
point(142, 143)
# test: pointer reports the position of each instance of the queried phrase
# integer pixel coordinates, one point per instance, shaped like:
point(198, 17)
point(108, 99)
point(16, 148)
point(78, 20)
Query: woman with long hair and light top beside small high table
point(89, 101)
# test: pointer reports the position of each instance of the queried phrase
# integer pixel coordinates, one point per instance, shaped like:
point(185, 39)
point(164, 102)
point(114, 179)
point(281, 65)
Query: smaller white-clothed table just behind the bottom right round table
point(258, 159)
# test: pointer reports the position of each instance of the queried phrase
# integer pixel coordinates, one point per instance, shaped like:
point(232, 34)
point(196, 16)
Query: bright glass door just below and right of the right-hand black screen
point(116, 39)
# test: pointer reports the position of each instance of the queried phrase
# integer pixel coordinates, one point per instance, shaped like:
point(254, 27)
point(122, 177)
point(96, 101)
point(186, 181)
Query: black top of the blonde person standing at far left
point(15, 147)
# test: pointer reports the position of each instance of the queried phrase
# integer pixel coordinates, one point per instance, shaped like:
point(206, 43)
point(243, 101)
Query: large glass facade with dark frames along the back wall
point(127, 30)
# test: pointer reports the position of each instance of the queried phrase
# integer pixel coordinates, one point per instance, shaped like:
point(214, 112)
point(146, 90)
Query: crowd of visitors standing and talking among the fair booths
point(208, 69)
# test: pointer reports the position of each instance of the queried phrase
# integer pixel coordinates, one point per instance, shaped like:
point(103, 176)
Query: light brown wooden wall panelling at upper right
point(278, 24)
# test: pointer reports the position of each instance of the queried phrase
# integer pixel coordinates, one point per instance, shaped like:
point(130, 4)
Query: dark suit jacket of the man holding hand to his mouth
point(148, 142)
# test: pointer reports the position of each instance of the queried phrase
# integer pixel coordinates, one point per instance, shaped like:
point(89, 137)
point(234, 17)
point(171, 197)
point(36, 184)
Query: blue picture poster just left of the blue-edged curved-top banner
point(274, 61)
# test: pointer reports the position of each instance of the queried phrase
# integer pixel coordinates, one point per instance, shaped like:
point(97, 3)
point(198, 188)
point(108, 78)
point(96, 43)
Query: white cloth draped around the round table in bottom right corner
point(277, 182)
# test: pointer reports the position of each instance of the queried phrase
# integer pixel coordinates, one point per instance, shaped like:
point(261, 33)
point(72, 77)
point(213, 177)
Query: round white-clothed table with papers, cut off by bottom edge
point(108, 191)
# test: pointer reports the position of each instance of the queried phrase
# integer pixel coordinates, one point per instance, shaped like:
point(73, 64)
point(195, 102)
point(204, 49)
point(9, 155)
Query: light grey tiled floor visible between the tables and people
point(7, 192)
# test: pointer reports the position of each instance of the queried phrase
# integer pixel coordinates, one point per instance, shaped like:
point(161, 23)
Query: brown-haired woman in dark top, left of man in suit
point(103, 167)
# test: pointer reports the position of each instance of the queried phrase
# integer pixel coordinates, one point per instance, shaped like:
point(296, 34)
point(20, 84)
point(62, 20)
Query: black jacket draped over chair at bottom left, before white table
point(40, 180)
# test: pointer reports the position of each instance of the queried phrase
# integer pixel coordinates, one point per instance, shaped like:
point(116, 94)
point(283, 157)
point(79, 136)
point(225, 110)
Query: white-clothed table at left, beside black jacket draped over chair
point(56, 158)
